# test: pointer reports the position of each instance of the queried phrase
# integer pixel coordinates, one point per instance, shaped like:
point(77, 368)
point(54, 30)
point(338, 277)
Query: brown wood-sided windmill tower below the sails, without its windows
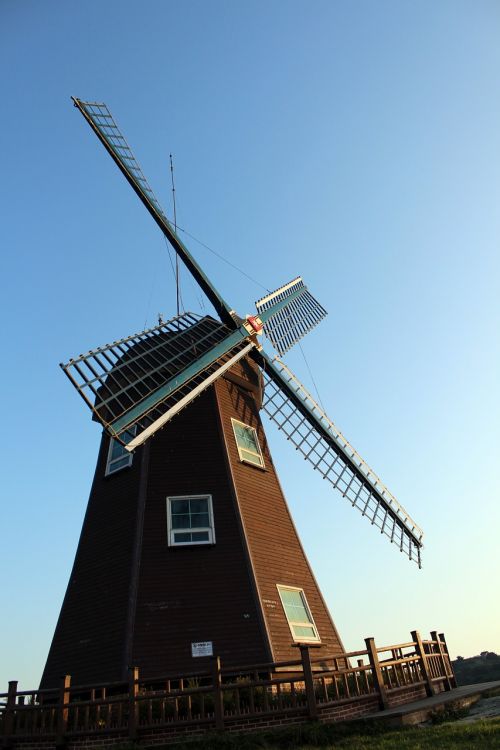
point(134, 598)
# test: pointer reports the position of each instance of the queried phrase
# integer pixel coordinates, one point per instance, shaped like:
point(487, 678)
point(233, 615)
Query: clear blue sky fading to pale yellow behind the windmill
point(355, 143)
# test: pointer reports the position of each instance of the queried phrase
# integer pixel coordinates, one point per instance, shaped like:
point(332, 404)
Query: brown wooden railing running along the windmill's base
point(219, 697)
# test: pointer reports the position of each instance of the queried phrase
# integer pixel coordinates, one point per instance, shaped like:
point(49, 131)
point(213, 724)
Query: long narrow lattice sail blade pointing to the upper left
point(104, 126)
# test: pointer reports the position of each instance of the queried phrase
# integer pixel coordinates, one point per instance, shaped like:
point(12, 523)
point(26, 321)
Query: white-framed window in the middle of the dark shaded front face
point(190, 520)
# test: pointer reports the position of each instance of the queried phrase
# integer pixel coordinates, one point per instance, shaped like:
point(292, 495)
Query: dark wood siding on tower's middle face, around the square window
point(194, 593)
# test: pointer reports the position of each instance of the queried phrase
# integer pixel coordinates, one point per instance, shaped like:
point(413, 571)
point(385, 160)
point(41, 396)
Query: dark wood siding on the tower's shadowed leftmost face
point(89, 639)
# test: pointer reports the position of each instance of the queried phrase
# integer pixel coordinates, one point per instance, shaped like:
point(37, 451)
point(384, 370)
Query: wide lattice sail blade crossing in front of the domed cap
point(135, 385)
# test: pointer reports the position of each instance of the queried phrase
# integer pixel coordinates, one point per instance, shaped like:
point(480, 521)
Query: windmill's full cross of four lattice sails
point(137, 384)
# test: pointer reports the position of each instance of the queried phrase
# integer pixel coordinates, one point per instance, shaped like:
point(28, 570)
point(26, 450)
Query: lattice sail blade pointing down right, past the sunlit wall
point(298, 416)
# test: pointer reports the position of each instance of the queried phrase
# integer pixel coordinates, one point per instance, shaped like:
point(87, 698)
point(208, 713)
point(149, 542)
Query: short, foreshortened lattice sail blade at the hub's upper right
point(291, 312)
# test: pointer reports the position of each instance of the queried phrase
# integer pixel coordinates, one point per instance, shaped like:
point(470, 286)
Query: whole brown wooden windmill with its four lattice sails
point(187, 547)
